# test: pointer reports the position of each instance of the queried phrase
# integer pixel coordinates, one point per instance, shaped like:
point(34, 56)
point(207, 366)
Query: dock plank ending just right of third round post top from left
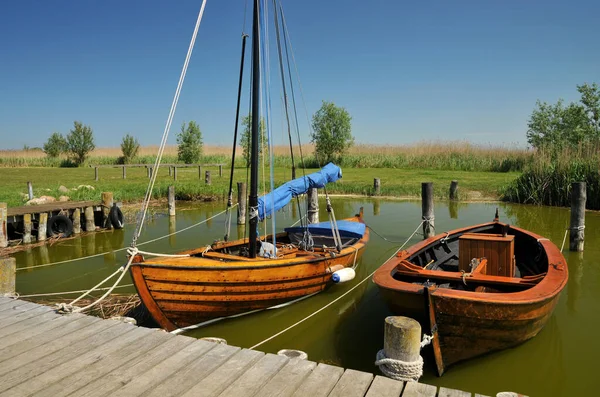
point(286, 381)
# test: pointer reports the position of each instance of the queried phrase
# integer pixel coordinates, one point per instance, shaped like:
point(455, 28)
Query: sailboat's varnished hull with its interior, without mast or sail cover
point(222, 281)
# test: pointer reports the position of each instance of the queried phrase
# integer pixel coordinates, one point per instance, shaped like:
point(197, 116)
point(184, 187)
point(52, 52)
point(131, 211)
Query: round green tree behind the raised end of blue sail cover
point(332, 131)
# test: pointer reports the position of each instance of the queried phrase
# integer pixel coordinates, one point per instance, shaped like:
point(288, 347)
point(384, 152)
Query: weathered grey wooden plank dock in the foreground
point(47, 354)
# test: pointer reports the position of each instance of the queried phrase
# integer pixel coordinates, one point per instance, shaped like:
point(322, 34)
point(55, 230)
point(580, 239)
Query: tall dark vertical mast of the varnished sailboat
point(253, 198)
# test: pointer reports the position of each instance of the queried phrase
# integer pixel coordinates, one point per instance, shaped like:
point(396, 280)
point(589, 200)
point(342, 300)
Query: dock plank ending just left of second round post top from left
point(156, 375)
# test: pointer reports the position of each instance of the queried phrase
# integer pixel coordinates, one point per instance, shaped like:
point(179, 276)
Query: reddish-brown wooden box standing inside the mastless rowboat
point(499, 250)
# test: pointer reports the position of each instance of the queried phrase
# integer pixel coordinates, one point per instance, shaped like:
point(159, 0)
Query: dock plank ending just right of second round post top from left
point(192, 374)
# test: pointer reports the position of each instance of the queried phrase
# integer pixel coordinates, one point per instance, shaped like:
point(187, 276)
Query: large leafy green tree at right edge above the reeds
point(557, 126)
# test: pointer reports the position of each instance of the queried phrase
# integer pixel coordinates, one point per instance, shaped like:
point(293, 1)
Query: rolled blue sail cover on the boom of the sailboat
point(279, 197)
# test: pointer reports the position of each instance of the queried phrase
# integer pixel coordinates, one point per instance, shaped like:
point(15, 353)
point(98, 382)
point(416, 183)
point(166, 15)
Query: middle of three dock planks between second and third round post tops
point(231, 370)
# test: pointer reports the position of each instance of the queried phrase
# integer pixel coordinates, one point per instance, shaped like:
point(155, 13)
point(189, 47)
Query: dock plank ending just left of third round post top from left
point(256, 376)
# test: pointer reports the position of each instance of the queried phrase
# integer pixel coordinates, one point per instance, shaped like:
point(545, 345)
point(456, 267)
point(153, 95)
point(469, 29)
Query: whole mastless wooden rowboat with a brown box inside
point(477, 289)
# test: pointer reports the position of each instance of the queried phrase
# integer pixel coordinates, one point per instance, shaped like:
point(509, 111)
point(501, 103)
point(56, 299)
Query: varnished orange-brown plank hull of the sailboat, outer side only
point(180, 292)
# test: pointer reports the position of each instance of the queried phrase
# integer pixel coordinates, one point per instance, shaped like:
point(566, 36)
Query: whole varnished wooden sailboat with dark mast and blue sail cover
point(240, 276)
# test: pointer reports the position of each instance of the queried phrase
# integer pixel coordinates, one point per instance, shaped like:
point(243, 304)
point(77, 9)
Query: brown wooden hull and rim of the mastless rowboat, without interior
point(467, 324)
